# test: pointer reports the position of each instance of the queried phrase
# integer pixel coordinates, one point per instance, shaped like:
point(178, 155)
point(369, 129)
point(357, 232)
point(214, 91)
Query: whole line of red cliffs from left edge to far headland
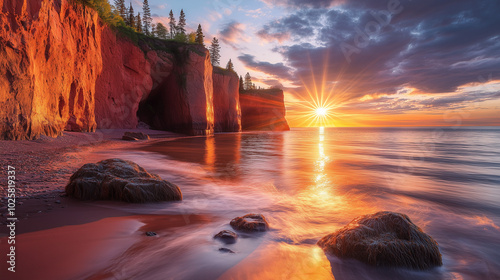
point(62, 68)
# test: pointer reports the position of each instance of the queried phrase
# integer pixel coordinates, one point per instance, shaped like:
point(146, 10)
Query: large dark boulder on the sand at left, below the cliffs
point(122, 180)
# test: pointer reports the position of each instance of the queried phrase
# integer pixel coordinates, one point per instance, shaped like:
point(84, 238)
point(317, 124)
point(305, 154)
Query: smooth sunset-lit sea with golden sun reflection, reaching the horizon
point(310, 182)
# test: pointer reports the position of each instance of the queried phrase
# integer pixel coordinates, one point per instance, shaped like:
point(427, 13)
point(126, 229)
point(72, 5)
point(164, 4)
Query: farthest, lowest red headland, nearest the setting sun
point(263, 110)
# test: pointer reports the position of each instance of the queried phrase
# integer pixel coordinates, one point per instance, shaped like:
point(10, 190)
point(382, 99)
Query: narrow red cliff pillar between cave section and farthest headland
point(226, 101)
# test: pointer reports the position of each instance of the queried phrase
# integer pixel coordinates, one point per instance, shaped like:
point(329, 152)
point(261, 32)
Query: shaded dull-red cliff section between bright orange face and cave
point(129, 74)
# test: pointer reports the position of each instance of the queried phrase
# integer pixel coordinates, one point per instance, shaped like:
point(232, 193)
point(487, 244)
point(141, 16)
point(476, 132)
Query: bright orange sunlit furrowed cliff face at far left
point(50, 58)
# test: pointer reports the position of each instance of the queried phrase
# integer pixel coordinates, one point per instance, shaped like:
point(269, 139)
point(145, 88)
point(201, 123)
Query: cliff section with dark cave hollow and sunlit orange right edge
point(183, 102)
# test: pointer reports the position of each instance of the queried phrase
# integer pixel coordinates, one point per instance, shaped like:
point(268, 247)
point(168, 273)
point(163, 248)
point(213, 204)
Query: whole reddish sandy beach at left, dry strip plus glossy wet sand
point(62, 238)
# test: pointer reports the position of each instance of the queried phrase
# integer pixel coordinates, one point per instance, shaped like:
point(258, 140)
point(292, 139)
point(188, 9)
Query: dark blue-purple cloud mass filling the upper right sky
point(381, 46)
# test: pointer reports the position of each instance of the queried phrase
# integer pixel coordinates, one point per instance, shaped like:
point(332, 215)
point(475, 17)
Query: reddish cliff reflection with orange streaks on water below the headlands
point(222, 156)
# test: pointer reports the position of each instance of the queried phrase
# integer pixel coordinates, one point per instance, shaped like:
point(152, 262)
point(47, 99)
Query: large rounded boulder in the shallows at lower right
point(384, 239)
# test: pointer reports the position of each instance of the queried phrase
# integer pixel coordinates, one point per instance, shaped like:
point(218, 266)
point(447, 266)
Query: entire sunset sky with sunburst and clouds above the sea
point(371, 63)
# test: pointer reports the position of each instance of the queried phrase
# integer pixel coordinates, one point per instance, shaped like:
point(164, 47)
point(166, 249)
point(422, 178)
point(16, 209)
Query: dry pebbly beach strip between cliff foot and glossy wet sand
point(43, 168)
